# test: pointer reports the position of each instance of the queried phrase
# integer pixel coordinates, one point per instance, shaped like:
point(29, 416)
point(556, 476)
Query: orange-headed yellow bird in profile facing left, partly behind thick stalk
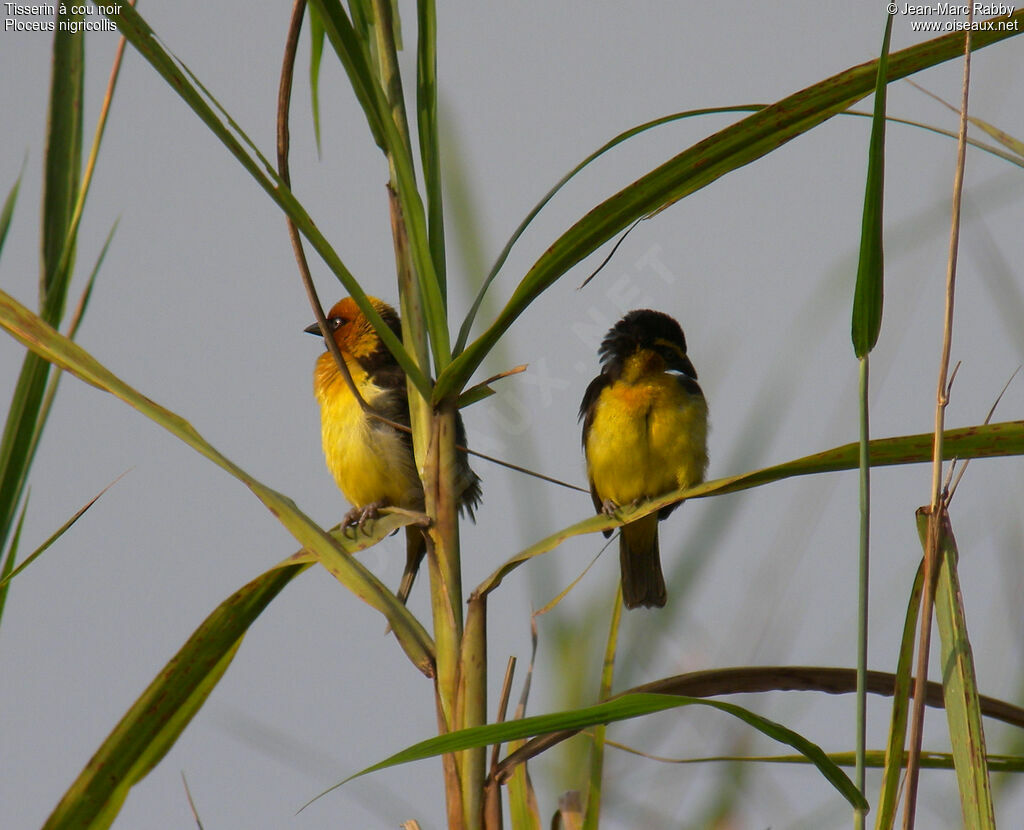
point(372, 462)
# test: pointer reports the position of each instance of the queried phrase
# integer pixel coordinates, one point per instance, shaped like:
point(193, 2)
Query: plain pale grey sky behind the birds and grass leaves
point(199, 307)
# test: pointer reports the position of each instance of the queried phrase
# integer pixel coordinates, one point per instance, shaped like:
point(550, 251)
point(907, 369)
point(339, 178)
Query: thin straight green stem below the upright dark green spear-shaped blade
point(863, 588)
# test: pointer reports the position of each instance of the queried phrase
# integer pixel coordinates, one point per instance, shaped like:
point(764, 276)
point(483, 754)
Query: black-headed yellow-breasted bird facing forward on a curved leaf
point(645, 434)
